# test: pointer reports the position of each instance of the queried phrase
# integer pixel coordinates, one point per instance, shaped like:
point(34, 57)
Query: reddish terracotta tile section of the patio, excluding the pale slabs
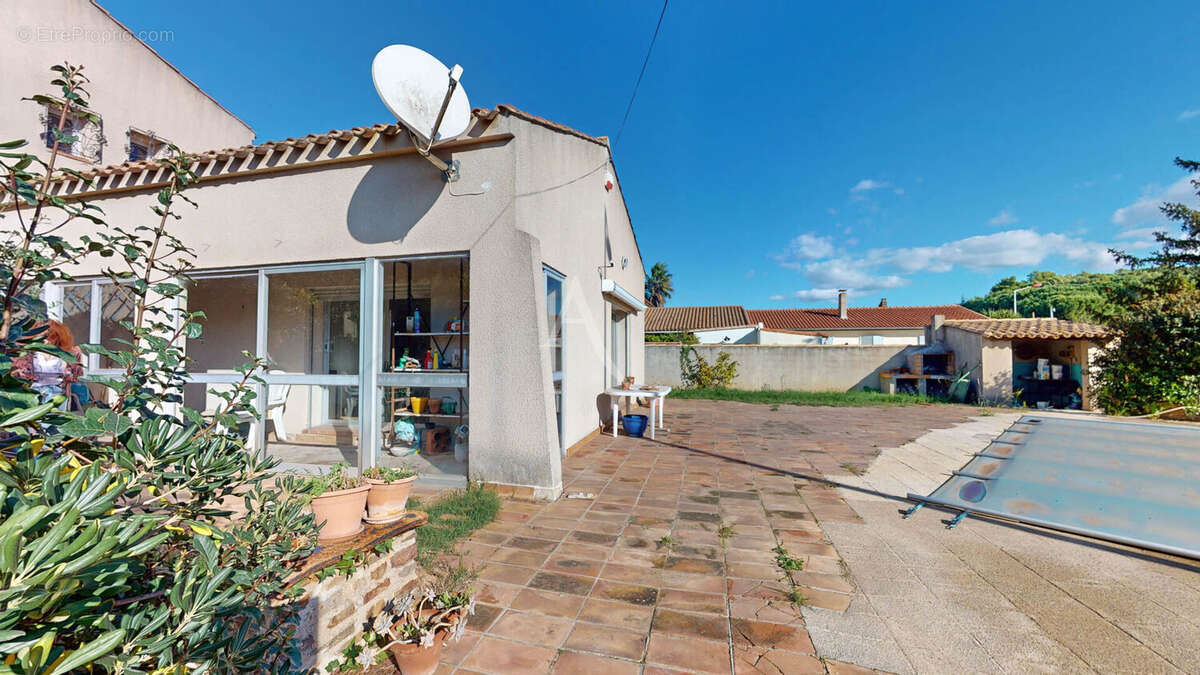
point(640, 577)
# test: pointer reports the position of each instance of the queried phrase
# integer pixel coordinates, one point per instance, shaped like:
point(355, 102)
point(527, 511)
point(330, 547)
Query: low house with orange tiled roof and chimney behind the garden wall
point(861, 326)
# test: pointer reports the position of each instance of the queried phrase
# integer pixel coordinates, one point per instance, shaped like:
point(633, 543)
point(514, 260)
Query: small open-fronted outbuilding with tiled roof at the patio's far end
point(1005, 354)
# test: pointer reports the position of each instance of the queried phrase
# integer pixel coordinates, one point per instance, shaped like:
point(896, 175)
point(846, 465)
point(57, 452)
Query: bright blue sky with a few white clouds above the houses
point(778, 152)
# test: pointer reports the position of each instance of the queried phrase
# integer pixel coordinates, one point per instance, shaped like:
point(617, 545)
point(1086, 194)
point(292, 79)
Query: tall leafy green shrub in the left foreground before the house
point(119, 551)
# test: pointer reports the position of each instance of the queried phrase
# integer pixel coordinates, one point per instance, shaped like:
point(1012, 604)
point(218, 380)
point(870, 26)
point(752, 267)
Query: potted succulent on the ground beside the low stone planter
point(416, 625)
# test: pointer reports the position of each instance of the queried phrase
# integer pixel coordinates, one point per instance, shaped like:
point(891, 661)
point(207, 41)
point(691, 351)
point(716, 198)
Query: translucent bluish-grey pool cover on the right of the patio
point(1126, 482)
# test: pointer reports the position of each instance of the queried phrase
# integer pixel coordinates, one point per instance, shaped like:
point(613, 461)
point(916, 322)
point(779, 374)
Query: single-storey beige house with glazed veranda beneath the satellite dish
point(517, 289)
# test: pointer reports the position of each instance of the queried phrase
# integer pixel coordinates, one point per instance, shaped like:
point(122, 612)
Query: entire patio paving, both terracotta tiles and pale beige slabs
point(637, 577)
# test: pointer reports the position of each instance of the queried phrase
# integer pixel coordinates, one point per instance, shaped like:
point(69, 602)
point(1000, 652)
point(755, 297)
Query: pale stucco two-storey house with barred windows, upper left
point(143, 101)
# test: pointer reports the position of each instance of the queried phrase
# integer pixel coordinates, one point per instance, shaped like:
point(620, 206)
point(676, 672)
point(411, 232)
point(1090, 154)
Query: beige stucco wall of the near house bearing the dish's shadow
point(520, 205)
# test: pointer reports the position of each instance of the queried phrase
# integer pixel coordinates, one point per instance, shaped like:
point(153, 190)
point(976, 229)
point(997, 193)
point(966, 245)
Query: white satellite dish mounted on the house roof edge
point(424, 95)
